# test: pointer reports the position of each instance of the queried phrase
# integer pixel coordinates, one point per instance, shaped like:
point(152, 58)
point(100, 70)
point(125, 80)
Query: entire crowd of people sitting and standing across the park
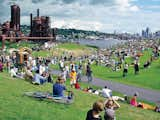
point(37, 71)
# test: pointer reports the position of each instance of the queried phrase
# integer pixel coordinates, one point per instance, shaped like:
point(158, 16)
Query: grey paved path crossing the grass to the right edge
point(144, 94)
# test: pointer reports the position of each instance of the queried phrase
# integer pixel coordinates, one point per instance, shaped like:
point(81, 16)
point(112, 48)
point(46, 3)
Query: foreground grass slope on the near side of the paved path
point(15, 106)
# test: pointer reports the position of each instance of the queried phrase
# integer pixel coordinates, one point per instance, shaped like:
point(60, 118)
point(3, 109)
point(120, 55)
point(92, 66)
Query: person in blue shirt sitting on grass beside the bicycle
point(58, 87)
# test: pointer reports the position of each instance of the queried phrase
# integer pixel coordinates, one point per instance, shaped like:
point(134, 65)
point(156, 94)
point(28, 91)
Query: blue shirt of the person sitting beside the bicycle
point(58, 90)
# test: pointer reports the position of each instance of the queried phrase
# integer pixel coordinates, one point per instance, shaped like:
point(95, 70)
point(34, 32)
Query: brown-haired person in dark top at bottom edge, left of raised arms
point(94, 113)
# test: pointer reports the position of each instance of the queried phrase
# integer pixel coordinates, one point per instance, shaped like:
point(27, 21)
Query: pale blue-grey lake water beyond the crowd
point(102, 43)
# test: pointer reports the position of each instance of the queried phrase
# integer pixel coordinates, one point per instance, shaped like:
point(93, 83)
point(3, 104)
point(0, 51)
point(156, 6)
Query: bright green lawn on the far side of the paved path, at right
point(147, 78)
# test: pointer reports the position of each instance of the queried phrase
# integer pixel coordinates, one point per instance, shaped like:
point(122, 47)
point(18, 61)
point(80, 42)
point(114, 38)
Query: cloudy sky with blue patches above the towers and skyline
point(102, 15)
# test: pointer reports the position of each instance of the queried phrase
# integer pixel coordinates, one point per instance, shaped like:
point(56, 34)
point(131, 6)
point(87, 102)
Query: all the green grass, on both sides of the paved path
point(15, 106)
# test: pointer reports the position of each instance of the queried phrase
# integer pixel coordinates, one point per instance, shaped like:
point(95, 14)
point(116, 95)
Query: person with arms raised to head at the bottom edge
point(110, 107)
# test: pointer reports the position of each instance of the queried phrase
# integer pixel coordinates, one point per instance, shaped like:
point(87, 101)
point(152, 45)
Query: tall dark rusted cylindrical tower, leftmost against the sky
point(15, 18)
